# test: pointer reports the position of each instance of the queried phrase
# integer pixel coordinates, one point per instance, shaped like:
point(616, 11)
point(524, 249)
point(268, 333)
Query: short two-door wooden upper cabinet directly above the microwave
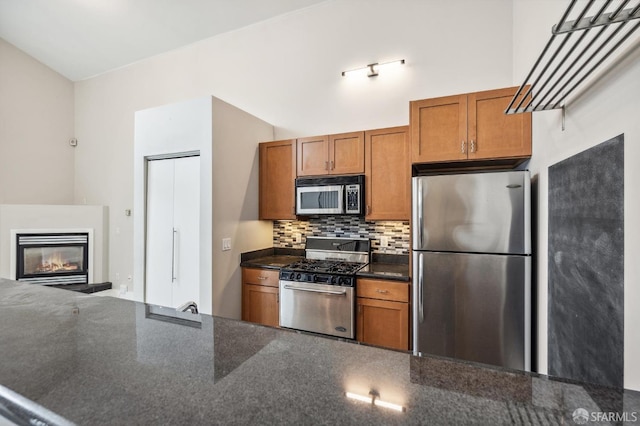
point(331, 155)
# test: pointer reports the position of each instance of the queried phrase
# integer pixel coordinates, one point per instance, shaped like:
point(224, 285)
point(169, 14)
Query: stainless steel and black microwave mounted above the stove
point(335, 195)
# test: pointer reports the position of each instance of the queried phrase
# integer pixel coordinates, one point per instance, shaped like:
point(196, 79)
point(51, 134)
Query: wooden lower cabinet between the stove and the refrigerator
point(383, 313)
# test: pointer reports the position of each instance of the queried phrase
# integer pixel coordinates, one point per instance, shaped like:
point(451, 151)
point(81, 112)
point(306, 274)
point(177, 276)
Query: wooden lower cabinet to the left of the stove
point(260, 296)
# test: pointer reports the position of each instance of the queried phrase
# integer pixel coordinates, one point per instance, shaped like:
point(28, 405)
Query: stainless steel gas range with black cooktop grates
point(317, 294)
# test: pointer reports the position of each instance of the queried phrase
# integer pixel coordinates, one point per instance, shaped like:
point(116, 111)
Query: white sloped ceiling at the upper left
point(83, 38)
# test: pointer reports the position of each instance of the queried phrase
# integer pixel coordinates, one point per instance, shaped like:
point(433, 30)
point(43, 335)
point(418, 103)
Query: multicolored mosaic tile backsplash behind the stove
point(286, 232)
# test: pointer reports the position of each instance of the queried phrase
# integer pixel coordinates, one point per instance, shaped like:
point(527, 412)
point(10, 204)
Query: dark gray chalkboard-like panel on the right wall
point(586, 265)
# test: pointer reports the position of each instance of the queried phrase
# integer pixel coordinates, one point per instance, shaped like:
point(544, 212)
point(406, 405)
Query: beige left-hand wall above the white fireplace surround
point(36, 123)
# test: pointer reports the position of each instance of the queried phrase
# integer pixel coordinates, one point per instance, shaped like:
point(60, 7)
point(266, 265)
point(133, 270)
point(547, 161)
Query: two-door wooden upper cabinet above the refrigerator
point(471, 126)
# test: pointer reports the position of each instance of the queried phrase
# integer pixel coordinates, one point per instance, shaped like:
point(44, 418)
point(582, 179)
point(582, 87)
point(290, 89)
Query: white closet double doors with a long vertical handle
point(172, 267)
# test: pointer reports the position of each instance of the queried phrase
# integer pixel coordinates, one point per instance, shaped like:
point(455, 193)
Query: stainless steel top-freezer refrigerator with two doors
point(472, 267)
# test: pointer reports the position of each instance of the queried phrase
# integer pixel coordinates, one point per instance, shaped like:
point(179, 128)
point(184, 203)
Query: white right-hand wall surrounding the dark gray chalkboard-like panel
point(600, 111)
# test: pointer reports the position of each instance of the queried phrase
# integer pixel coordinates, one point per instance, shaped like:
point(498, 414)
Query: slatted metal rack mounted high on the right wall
point(574, 52)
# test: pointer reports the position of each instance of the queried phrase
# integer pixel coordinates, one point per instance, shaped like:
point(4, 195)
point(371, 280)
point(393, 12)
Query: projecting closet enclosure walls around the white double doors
point(226, 138)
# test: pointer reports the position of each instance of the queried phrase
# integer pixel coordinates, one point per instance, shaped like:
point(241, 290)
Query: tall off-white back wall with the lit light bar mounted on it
point(286, 71)
